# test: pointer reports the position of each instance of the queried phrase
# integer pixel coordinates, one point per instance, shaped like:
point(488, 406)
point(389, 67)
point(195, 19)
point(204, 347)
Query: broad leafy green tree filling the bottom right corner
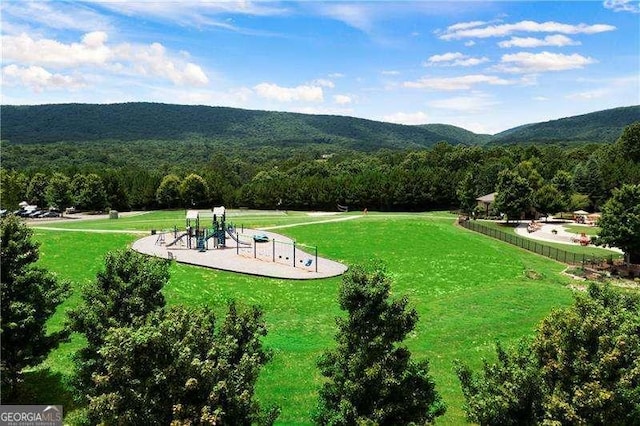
point(581, 368)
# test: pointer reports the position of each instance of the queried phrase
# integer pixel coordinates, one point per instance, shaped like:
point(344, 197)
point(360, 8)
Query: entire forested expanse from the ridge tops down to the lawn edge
point(130, 156)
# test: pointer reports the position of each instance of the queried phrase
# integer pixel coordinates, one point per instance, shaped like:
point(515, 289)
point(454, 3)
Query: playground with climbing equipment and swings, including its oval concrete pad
point(257, 252)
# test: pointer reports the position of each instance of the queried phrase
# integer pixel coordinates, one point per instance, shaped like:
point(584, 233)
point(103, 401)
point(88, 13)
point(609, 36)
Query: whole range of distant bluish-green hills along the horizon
point(39, 124)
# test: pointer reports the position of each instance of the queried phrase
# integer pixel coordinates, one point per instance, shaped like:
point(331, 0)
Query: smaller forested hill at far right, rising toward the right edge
point(596, 127)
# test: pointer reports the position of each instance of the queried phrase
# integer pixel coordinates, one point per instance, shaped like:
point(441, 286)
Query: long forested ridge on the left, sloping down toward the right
point(246, 128)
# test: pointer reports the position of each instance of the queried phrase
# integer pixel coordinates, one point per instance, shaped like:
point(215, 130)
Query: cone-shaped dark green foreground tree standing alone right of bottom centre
point(371, 379)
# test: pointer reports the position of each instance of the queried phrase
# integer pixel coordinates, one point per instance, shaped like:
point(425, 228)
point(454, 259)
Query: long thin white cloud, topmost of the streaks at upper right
point(502, 30)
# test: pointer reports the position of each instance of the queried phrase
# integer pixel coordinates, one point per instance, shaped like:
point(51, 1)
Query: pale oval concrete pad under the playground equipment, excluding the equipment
point(241, 259)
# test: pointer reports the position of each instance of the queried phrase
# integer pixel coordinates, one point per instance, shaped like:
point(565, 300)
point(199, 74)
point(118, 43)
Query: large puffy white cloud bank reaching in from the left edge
point(93, 50)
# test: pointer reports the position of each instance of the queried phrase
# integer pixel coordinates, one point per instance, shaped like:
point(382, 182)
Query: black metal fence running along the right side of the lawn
point(541, 248)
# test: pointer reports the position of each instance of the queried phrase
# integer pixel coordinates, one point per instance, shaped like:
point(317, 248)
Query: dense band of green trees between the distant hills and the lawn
point(550, 178)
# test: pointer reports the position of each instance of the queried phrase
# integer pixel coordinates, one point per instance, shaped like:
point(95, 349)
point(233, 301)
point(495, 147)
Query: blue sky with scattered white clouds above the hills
point(484, 66)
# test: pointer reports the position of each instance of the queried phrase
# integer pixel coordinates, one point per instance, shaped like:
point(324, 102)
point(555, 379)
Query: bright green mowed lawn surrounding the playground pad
point(469, 290)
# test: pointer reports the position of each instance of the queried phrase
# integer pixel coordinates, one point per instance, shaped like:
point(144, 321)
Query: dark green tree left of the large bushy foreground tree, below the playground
point(128, 289)
